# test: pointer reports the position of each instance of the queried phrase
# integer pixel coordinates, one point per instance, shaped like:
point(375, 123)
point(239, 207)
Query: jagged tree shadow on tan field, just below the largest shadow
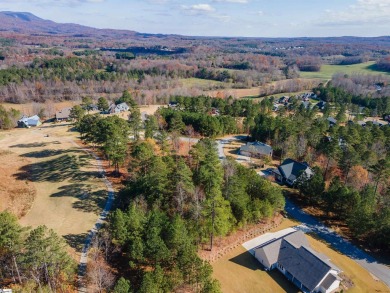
point(87, 201)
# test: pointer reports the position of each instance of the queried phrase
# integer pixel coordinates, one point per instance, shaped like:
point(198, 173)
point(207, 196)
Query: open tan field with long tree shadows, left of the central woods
point(69, 194)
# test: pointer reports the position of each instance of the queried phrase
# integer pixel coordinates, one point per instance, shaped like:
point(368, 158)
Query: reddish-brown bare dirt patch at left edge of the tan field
point(17, 196)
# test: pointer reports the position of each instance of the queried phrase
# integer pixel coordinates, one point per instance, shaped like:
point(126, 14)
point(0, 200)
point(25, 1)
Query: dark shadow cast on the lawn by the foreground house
point(247, 260)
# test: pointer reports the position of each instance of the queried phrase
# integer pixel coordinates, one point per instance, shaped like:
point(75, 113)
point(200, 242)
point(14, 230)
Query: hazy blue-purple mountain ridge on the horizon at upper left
point(28, 23)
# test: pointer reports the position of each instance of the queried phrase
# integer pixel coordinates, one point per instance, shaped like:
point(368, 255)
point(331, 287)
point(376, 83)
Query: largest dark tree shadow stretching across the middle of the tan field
point(65, 167)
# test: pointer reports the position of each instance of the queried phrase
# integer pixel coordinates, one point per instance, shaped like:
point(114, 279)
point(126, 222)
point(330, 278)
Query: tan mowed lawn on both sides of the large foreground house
point(239, 271)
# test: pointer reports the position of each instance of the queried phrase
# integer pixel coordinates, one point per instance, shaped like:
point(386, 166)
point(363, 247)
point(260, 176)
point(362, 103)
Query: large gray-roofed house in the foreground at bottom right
point(307, 269)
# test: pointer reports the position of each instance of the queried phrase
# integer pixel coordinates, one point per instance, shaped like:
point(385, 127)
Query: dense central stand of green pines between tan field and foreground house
point(172, 205)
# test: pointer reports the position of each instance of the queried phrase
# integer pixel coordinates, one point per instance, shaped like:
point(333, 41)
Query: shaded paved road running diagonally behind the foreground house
point(380, 271)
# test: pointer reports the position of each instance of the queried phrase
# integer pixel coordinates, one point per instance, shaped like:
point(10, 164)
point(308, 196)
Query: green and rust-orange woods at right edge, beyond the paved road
point(352, 165)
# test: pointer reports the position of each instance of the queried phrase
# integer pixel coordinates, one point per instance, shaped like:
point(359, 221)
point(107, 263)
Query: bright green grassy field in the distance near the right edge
point(327, 71)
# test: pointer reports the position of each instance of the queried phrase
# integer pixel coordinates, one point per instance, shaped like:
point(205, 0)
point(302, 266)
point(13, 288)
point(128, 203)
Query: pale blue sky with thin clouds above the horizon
point(244, 18)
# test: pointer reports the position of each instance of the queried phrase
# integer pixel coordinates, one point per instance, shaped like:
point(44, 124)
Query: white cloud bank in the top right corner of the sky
point(362, 12)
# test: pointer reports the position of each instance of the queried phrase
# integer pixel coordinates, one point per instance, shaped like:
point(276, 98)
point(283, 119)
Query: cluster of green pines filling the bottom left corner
point(33, 260)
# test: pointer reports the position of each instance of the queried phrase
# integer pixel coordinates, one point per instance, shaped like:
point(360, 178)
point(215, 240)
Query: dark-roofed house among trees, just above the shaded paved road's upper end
point(290, 170)
